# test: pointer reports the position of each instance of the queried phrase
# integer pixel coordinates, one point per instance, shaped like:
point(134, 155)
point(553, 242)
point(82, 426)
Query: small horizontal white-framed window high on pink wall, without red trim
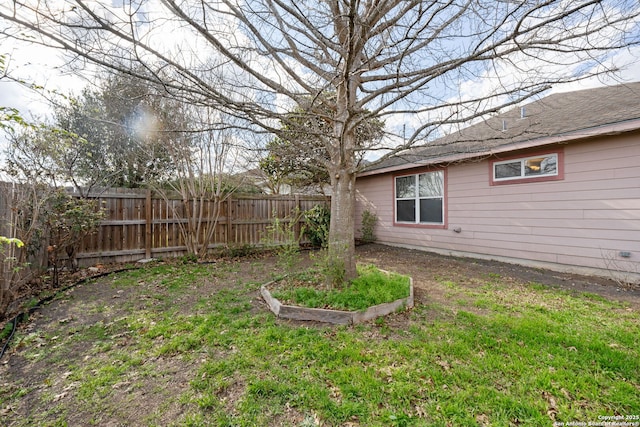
point(526, 167)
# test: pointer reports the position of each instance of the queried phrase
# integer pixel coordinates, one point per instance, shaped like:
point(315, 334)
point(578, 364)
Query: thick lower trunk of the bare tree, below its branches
point(342, 263)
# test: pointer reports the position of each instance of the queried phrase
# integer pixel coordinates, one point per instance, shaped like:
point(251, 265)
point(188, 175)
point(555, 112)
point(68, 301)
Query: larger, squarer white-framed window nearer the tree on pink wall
point(420, 198)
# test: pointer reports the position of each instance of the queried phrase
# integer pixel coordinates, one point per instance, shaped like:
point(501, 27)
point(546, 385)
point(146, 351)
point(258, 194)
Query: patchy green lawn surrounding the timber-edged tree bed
point(193, 345)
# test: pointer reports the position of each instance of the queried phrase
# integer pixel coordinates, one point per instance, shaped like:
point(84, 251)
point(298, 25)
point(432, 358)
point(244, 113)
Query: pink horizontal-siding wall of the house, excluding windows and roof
point(579, 223)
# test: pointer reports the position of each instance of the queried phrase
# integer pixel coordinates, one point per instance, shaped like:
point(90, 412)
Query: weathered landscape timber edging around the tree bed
point(338, 317)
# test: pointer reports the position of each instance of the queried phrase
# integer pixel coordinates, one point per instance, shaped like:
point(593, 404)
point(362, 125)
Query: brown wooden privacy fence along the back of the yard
point(139, 224)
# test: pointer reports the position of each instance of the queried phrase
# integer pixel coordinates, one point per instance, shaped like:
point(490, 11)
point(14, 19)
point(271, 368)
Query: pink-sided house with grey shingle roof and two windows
point(554, 184)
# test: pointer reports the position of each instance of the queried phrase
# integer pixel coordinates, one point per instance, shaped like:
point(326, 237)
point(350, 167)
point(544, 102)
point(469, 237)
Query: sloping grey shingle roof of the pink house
point(560, 117)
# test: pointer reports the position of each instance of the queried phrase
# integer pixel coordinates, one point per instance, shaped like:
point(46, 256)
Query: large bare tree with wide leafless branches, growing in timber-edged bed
point(401, 61)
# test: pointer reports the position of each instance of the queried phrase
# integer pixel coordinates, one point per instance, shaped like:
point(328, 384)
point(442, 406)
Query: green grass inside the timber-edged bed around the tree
point(371, 287)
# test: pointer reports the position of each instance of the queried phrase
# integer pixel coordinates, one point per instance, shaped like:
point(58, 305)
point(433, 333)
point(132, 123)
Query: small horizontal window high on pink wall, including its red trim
point(541, 167)
